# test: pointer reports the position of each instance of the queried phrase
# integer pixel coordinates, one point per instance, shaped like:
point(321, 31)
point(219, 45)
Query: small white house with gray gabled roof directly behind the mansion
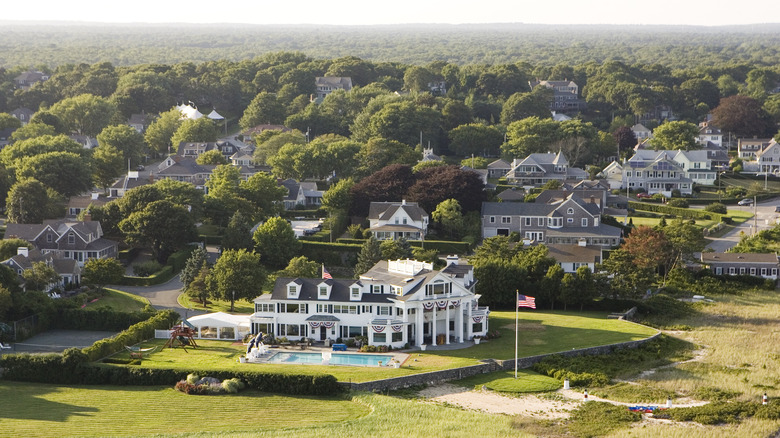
point(393, 220)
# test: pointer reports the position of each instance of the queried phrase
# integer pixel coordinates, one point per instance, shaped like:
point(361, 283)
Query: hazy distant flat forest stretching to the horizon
point(123, 45)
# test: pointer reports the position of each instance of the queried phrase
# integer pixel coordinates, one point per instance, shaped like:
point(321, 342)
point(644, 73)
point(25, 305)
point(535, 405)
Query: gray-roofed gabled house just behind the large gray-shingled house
point(538, 169)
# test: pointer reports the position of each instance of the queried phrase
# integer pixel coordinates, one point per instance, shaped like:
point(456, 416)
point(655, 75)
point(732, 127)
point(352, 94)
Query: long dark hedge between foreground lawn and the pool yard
point(72, 368)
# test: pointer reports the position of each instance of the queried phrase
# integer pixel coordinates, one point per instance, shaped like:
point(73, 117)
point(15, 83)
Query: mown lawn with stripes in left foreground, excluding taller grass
point(28, 409)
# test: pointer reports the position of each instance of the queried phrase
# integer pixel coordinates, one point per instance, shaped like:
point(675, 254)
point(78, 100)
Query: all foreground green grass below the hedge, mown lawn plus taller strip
point(31, 410)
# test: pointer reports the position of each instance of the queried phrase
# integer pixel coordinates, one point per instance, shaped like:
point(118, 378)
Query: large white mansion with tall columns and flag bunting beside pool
point(397, 302)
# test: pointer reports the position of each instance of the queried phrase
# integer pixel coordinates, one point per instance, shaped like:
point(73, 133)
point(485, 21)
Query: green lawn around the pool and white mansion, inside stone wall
point(540, 332)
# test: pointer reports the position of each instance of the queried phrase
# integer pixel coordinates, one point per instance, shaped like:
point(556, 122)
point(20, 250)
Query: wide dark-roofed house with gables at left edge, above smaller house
point(77, 240)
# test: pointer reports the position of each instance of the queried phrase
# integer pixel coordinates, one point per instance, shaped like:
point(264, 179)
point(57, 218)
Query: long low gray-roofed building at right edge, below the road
point(753, 264)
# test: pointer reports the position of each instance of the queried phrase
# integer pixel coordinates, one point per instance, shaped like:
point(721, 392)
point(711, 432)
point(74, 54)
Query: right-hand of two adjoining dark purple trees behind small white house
point(435, 184)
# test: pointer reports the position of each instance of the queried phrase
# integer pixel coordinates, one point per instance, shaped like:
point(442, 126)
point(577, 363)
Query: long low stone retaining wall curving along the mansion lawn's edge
point(489, 366)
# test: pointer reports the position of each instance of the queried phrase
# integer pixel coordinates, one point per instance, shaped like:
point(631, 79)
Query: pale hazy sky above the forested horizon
point(367, 12)
